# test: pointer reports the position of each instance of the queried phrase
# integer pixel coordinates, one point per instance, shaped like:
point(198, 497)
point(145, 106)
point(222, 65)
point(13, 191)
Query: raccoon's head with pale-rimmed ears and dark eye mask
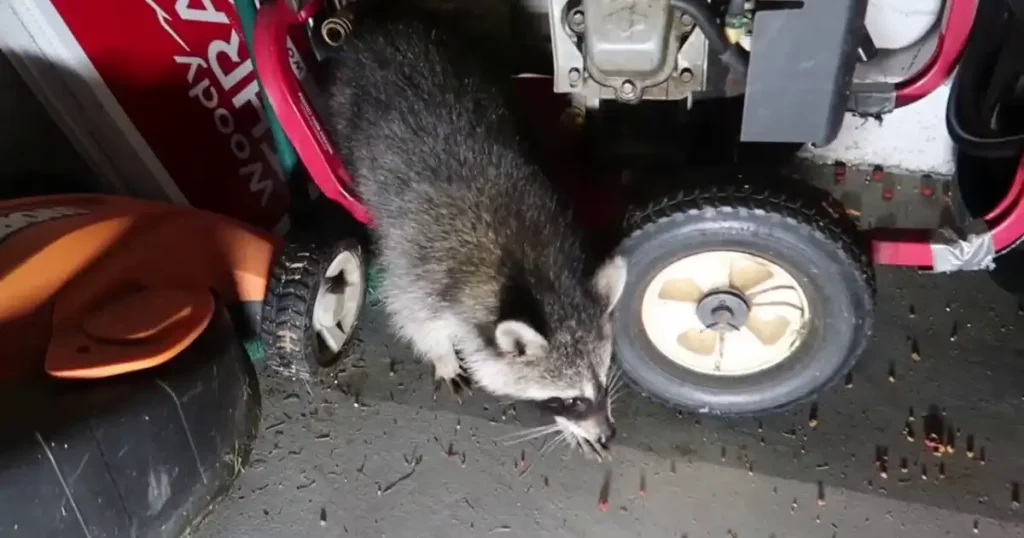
point(563, 367)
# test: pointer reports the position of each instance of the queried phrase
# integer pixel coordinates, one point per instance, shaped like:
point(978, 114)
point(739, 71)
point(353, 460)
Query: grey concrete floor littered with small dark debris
point(330, 453)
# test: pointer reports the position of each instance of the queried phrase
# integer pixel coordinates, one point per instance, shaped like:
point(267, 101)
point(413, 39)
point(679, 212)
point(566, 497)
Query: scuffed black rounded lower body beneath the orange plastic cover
point(92, 451)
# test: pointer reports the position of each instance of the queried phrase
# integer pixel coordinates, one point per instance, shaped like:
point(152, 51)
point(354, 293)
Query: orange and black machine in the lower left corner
point(132, 403)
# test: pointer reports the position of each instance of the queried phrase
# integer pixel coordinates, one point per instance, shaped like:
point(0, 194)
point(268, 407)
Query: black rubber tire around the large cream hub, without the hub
point(820, 247)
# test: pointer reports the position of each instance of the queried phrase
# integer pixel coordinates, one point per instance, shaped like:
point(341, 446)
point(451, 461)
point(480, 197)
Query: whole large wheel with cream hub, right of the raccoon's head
point(742, 301)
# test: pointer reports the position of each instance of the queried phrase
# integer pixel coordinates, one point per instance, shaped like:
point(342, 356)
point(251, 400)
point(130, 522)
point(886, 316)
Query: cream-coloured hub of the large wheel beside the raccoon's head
point(726, 313)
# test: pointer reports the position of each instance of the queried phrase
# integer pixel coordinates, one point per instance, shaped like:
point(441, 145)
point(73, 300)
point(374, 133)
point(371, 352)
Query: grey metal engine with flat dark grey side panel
point(794, 61)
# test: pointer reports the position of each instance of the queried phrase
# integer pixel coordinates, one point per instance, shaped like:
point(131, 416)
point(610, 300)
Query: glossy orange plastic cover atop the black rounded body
point(124, 274)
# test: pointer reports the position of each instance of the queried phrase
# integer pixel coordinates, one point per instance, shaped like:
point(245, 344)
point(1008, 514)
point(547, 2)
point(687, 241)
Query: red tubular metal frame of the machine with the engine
point(890, 247)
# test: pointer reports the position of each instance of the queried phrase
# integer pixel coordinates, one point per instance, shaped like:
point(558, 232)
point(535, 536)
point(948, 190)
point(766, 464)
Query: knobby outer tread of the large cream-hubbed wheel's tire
point(818, 218)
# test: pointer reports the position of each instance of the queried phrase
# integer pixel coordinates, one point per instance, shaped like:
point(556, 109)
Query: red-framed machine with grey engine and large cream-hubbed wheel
point(745, 296)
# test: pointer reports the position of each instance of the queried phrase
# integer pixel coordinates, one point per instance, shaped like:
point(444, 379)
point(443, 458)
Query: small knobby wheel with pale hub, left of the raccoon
point(313, 306)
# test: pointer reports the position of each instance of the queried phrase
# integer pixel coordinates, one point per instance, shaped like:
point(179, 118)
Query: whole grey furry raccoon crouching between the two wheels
point(485, 272)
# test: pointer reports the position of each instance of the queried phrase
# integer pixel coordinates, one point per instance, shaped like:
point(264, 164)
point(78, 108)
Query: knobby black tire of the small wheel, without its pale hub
point(289, 340)
